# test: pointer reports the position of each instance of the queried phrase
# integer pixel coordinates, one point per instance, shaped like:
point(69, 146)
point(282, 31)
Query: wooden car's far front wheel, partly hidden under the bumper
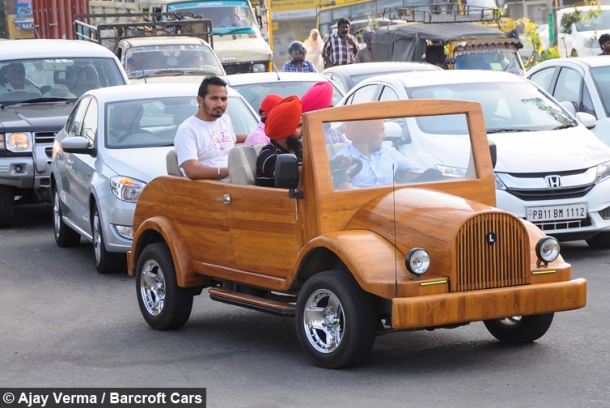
point(520, 329)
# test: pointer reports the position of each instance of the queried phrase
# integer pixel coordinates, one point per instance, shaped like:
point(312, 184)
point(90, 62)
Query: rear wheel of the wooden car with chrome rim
point(164, 305)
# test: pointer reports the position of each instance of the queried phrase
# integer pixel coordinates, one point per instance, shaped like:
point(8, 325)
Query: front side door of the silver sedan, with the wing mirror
point(83, 168)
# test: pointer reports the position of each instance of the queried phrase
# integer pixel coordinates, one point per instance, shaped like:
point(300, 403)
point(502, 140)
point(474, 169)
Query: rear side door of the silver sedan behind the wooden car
point(65, 161)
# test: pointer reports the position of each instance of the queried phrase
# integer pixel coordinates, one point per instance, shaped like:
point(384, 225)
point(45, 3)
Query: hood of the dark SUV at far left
point(39, 116)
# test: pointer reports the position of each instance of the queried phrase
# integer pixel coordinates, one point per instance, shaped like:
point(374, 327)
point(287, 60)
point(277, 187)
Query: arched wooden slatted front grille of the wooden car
point(484, 263)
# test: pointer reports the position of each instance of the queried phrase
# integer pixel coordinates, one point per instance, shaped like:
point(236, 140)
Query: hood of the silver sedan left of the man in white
point(143, 163)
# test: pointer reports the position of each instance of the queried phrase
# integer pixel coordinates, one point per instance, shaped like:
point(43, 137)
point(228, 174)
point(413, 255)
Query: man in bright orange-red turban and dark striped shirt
point(283, 127)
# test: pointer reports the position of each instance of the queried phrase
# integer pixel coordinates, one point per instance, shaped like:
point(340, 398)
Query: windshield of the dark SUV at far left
point(28, 79)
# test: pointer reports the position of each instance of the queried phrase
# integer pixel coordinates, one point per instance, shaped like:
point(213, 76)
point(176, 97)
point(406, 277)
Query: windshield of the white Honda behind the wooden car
point(507, 107)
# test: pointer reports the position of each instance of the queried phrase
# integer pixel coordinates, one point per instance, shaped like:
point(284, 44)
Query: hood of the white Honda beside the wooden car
point(548, 151)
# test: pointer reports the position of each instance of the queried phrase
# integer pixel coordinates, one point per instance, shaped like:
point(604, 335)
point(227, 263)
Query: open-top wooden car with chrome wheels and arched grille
point(350, 254)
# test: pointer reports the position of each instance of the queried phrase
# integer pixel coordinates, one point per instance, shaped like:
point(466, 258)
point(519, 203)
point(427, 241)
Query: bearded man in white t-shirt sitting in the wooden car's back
point(203, 141)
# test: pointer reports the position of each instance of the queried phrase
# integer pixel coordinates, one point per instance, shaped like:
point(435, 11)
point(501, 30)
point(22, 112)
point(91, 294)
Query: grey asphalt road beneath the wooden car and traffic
point(64, 325)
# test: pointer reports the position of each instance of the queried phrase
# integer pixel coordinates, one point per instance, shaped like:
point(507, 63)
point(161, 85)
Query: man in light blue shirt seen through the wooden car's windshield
point(380, 163)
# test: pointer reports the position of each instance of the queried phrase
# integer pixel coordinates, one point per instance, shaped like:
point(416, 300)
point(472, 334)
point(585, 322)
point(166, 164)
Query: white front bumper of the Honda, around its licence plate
point(598, 199)
